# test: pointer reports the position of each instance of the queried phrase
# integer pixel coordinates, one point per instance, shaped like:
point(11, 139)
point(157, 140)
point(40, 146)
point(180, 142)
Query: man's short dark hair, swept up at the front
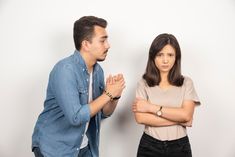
point(84, 28)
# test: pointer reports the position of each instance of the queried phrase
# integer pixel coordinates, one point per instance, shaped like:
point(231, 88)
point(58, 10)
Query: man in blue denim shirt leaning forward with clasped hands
point(77, 97)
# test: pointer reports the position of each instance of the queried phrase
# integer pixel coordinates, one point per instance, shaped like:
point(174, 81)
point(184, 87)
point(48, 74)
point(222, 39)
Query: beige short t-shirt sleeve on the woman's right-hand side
point(190, 92)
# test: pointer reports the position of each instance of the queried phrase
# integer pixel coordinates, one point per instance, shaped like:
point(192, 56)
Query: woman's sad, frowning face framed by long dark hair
point(165, 59)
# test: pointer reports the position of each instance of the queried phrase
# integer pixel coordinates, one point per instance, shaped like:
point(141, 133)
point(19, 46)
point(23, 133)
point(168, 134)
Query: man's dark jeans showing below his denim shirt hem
point(84, 152)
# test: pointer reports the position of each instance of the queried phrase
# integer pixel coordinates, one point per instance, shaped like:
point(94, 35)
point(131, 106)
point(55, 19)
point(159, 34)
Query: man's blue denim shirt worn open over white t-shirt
point(60, 127)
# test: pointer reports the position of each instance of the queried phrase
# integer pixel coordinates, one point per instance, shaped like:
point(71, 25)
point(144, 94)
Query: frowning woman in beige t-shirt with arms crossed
point(165, 102)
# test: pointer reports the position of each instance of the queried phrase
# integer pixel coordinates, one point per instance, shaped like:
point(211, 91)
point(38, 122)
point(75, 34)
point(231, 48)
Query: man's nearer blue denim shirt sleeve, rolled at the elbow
point(67, 95)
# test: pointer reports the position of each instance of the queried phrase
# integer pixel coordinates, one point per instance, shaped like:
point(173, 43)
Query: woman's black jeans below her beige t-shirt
point(151, 147)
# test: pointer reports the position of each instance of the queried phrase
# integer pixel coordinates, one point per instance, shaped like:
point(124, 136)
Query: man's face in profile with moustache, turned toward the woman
point(99, 44)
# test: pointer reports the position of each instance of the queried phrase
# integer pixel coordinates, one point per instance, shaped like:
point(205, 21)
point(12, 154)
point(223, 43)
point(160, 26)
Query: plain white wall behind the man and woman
point(35, 34)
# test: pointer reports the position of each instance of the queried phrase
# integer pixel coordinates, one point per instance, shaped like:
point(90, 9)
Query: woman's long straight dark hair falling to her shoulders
point(152, 74)
